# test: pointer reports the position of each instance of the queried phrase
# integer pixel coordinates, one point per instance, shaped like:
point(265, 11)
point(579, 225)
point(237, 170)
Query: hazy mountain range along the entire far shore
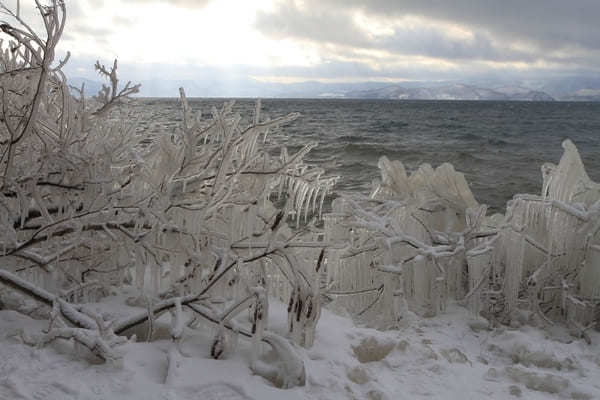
point(246, 87)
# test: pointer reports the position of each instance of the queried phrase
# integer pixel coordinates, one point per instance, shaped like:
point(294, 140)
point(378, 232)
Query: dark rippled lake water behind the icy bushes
point(499, 146)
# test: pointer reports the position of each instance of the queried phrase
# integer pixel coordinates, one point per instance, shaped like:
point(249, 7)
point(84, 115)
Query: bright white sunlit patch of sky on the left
point(220, 33)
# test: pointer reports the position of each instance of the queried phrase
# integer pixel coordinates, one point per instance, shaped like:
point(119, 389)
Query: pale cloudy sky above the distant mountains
point(525, 41)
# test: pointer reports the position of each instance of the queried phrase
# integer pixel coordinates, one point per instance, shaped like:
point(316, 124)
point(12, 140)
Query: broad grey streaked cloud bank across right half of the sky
point(551, 31)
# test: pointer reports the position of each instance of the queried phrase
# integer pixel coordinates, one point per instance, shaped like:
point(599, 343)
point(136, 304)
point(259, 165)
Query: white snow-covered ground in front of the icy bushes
point(453, 356)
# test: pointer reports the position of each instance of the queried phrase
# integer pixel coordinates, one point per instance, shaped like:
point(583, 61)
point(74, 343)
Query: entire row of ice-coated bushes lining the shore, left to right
point(189, 220)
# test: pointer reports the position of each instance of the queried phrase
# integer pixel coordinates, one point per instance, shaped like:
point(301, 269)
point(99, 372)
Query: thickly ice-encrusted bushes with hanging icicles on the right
point(425, 239)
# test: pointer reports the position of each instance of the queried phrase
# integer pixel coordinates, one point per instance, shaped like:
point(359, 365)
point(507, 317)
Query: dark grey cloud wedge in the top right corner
point(550, 23)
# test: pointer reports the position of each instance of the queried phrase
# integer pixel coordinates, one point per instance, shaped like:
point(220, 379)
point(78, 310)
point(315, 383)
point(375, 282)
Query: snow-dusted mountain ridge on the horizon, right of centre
point(451, 92)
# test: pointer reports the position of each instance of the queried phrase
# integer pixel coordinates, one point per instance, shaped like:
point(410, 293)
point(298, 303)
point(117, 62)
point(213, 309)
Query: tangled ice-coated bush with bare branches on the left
point(89, 205)
